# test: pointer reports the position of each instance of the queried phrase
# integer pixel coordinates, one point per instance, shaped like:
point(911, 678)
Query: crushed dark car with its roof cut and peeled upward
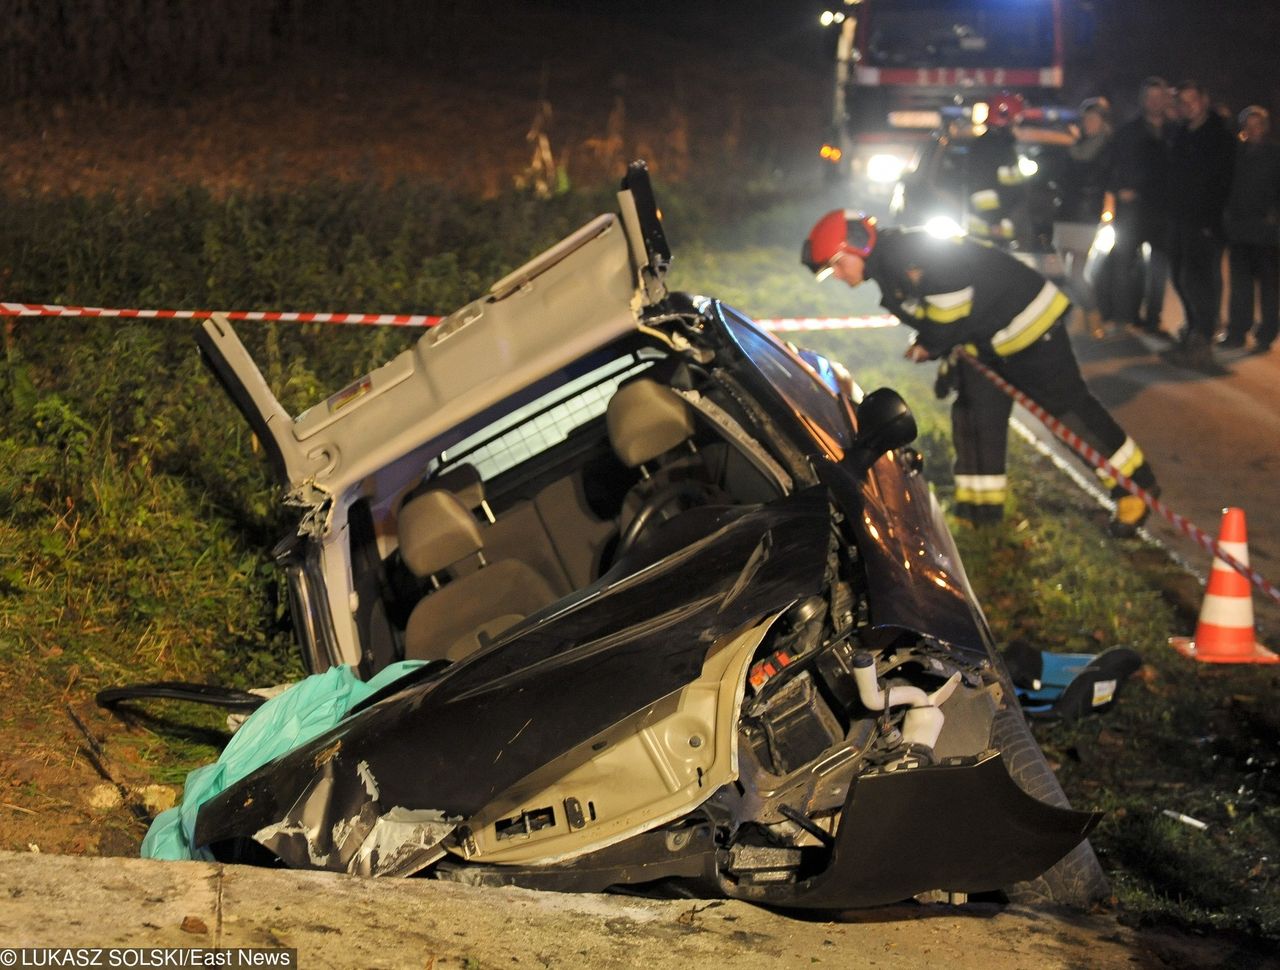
point(687, 615)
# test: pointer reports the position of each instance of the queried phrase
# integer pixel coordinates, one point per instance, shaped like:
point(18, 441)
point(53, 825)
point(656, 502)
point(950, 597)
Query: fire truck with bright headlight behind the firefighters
point(903, 63)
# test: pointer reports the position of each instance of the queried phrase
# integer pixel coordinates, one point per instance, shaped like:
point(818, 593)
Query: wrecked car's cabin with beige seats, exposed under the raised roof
point(579, 488)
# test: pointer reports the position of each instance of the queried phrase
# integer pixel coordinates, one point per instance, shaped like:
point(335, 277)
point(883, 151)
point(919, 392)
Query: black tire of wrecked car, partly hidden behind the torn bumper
point(1077, 880)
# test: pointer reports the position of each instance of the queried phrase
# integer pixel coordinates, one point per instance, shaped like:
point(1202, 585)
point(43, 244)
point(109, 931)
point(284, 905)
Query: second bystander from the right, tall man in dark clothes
point(1201, 164)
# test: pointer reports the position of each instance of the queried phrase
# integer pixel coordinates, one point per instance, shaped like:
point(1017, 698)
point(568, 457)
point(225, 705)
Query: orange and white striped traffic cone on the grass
point(1226, 630)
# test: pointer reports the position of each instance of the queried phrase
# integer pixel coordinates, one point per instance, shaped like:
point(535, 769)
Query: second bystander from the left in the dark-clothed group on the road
point(1139, 203)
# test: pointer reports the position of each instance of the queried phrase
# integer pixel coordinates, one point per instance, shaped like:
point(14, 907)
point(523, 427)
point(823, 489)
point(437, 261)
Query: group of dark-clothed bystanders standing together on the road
point(1178, 185)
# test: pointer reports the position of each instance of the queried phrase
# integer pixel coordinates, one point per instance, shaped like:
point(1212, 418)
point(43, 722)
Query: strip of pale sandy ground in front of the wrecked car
point(341, 922)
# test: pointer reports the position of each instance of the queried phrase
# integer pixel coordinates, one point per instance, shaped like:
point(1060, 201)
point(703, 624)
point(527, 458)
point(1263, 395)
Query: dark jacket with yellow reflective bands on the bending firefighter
point(959, 292)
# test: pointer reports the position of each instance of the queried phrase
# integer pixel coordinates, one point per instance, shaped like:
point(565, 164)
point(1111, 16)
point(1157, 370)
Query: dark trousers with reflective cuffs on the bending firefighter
point(1050, 376)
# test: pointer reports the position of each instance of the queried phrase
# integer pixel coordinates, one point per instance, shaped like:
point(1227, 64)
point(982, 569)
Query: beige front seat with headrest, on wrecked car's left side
point(437, 533)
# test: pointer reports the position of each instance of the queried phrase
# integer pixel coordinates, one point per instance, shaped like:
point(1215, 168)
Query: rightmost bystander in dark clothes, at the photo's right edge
point(1252, 225)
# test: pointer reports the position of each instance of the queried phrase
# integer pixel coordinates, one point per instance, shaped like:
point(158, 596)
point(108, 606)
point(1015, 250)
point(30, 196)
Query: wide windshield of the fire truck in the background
point(959, 34)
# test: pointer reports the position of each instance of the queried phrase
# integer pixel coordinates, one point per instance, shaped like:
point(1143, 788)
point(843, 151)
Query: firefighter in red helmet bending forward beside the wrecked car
point(961, 294)
